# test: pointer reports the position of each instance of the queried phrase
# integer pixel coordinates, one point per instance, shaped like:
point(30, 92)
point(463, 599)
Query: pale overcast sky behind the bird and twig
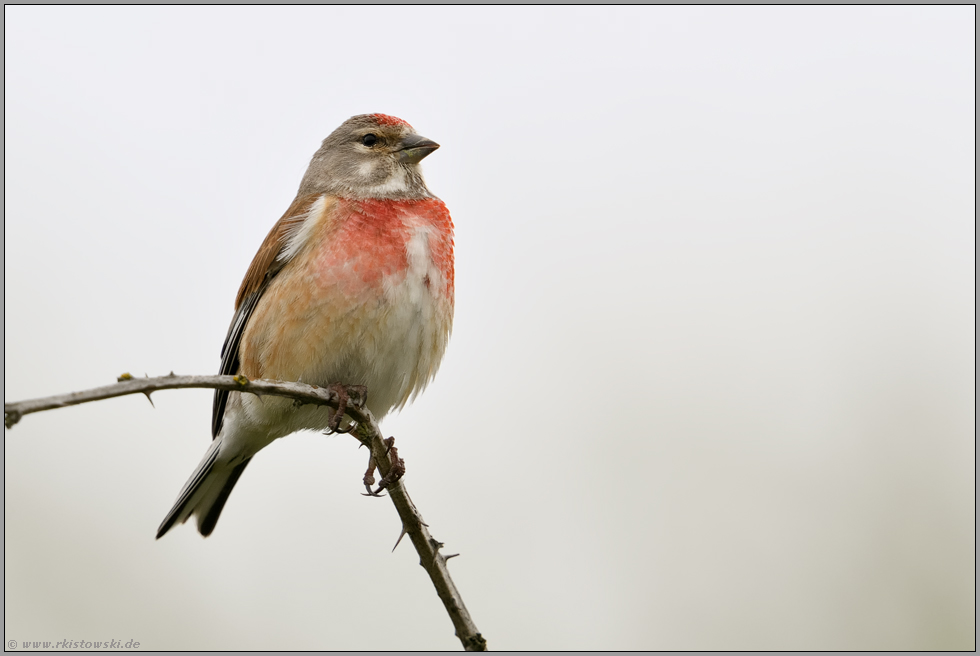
point(711, 380)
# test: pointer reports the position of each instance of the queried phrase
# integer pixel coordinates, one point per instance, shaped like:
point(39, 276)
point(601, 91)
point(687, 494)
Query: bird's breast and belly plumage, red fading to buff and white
point(355, 306)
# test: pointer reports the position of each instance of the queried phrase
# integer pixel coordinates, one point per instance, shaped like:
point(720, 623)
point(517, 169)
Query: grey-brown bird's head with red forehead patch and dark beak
point(369, 156)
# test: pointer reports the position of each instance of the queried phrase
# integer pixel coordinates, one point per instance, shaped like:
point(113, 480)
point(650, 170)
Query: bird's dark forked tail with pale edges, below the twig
point(206, 492)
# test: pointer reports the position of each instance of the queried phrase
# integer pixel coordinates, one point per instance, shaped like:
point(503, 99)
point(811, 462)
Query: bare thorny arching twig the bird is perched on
point(366, 430)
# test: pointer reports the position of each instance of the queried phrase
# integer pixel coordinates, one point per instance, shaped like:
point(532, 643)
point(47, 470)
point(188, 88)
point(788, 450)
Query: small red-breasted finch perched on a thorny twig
point(353, 286)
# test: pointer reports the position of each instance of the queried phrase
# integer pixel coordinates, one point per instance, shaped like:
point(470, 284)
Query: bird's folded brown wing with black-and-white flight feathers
point(264, 267)
